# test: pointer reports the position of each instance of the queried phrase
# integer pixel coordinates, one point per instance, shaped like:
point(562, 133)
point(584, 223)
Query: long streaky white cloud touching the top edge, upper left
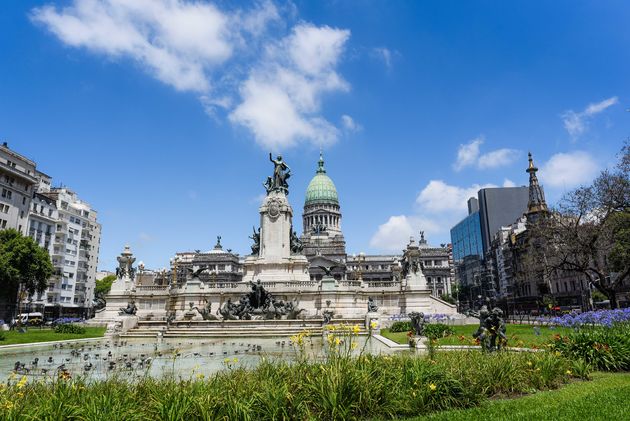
point(176, 42)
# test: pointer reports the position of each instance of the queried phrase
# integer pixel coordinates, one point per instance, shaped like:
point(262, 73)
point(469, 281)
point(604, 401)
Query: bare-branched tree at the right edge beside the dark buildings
point(589, 232)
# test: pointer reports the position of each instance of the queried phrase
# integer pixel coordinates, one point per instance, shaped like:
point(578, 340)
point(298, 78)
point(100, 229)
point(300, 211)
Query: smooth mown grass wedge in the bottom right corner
point(607, 397)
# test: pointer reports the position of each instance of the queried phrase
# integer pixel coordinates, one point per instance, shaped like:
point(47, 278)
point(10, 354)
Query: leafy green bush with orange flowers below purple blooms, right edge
point(605, 348)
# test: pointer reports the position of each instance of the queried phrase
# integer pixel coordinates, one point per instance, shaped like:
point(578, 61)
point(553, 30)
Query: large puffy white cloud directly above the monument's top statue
point(281, 97)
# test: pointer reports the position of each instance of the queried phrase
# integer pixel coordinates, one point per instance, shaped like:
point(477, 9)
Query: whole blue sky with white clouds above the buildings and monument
point(161, 114)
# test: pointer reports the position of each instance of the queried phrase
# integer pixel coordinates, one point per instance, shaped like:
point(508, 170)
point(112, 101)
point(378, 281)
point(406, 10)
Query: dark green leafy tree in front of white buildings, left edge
point(24, 266)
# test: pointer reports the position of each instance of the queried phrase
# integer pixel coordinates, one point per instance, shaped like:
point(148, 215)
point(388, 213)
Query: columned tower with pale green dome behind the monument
point(323, 241)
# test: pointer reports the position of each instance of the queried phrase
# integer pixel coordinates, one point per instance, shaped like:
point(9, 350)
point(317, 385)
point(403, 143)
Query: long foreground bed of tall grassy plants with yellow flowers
point(337, 388)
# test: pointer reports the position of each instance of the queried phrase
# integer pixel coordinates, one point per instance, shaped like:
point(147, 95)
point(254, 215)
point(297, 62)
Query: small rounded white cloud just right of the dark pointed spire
point(568, 170)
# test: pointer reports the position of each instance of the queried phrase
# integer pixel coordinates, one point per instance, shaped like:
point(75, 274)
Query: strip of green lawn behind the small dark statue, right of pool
point(518, 335)
